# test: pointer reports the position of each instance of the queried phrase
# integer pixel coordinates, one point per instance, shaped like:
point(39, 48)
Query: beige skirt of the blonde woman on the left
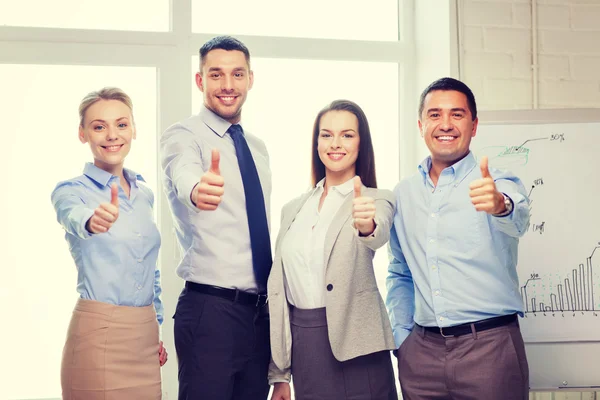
point(111, 353)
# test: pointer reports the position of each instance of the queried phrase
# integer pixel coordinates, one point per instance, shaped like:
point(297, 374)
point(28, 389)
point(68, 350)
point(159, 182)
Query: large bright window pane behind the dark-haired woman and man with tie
point(282, 105)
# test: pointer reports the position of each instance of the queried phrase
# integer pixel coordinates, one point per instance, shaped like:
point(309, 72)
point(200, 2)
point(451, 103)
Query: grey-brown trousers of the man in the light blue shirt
point(486, 365)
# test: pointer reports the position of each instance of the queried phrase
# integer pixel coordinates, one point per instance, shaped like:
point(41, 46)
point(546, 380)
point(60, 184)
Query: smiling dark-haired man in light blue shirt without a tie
point(453, 295)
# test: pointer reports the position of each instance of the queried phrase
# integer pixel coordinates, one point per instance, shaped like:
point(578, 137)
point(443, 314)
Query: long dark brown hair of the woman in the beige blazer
point(365, 163)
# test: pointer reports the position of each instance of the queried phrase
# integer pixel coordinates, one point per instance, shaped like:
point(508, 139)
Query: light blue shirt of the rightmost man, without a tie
point(451, 264)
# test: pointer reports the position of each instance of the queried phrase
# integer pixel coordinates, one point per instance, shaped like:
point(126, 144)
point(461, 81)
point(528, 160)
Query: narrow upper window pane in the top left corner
point(130, 15)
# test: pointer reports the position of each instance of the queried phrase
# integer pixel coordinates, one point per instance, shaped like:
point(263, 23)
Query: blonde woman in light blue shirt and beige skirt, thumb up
point(112, 349)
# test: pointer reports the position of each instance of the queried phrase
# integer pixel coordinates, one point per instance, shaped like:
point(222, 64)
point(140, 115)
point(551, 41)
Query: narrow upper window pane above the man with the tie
point(331, 19)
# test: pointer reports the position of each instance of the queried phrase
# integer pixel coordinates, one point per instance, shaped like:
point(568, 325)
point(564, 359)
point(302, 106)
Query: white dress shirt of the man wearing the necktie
point(215, 244)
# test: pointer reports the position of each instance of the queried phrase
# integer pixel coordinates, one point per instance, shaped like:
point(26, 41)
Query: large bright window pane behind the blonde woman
point(37, 289)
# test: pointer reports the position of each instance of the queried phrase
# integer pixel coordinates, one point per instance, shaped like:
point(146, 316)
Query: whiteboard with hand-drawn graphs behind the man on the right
point(556, 282)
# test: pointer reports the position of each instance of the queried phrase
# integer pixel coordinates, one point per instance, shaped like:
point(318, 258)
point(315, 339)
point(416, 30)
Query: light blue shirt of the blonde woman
point(119, 266)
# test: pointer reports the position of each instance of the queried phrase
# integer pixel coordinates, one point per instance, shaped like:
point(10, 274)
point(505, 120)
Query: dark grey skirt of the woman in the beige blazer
point(317, 375)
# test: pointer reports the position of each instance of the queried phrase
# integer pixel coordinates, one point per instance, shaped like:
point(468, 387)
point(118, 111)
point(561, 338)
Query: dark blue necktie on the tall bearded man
point(255, 208)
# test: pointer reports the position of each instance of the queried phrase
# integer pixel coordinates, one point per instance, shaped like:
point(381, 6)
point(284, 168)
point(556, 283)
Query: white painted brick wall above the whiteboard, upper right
point(496, 52)
